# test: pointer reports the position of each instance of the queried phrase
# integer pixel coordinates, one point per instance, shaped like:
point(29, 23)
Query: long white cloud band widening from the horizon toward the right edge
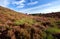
point(45, 8)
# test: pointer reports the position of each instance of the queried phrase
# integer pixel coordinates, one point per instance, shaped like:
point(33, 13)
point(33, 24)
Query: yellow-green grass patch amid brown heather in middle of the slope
point(24, 20)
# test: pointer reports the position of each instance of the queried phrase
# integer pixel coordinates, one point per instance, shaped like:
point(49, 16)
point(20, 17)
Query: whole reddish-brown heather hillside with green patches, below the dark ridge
point(15, 25)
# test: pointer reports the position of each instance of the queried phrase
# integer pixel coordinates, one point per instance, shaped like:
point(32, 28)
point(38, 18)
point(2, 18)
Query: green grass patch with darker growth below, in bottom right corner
point(48, 33)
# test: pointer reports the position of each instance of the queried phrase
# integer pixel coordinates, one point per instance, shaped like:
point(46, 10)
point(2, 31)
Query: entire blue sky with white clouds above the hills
point(32, 6)
